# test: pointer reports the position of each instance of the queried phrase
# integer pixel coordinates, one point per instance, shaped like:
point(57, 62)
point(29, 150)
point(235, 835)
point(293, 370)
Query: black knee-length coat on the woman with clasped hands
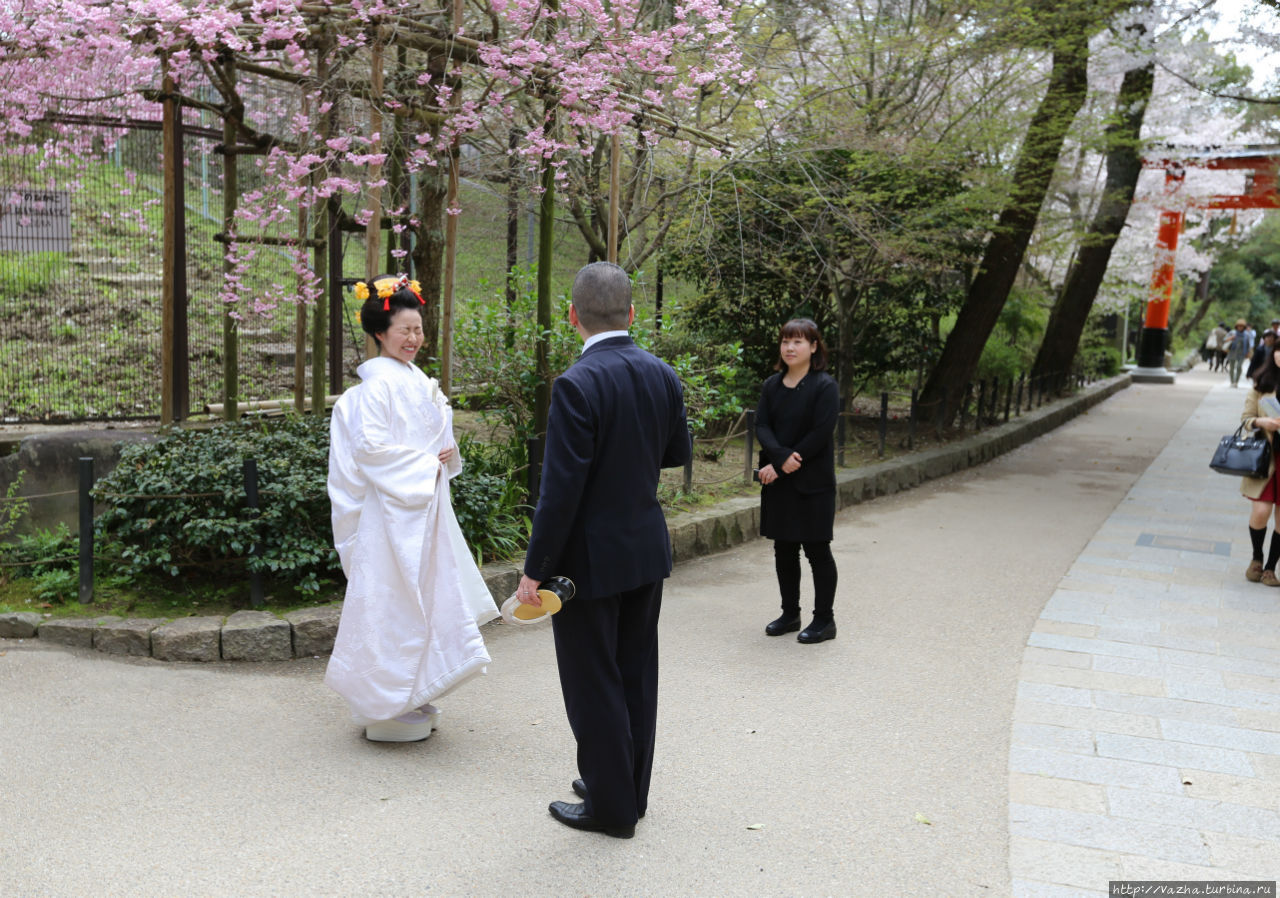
point(799, 507)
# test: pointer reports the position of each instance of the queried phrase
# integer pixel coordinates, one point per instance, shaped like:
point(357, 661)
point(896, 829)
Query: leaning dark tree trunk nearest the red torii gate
point(1124, 164)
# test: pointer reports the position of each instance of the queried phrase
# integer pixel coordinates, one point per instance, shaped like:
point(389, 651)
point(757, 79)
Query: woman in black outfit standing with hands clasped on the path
point(794, 423)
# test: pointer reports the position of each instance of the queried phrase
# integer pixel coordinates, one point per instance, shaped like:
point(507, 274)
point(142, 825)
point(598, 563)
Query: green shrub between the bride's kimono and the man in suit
point(488, 498)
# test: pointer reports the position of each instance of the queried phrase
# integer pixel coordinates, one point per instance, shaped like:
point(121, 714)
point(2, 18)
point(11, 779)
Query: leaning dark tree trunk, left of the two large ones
point(1034, 172)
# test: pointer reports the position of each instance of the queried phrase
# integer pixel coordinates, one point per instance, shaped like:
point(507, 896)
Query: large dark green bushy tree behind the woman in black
point(872, 246)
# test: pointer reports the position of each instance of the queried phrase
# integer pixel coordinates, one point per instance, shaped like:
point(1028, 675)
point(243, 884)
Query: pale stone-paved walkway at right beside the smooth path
point(1146, 737)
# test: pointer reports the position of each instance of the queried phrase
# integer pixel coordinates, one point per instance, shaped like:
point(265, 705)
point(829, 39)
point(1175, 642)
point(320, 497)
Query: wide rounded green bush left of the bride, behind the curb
point(179, 505)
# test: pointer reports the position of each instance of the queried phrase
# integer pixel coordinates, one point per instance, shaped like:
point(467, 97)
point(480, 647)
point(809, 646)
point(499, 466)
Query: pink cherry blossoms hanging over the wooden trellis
point(602, 66)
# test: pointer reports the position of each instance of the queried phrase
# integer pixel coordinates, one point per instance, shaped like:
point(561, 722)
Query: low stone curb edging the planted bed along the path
point(262, 636)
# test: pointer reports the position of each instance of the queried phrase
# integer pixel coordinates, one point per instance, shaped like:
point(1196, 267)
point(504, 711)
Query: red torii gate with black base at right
point(1261, 167)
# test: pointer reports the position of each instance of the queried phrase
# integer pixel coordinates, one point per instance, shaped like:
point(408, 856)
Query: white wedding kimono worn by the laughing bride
point(410, 629)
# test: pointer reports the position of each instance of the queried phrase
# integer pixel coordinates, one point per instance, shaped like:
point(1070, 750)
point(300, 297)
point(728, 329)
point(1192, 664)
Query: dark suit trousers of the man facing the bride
point(607, 656)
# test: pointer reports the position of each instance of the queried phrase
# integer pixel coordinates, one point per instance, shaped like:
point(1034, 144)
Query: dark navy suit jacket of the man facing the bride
point(616, 418)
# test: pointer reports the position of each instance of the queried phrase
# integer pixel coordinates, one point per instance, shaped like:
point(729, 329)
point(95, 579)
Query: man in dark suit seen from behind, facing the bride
point(618, 416)
